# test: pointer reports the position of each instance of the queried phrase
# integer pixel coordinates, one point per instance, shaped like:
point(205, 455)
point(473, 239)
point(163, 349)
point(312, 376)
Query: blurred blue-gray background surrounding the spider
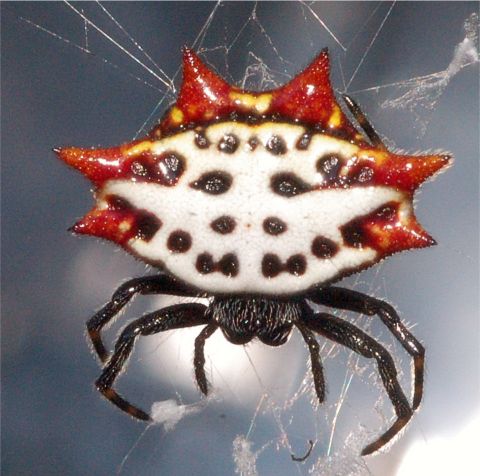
point(78, 88)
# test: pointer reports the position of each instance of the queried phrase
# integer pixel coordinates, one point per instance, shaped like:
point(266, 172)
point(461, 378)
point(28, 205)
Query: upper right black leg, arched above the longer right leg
point(349, 300)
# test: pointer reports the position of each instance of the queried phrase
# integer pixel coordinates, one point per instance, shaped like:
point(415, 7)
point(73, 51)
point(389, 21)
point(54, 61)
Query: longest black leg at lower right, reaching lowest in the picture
point(350, 336)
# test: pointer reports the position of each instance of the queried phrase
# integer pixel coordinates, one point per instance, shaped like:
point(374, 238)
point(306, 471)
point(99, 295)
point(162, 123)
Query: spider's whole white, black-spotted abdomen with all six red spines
point(238, 192)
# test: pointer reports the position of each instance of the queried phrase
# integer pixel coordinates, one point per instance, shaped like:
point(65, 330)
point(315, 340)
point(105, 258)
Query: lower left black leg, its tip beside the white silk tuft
point(173, 317)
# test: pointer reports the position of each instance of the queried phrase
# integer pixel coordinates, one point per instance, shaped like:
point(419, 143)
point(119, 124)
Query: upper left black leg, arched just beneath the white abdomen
point(146, 285)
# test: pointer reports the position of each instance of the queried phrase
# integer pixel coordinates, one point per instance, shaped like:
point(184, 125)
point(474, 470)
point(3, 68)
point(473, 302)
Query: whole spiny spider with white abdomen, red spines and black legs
point(258, 201)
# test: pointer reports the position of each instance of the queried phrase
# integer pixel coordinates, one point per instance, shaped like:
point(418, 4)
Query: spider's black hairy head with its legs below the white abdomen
point(242, 318)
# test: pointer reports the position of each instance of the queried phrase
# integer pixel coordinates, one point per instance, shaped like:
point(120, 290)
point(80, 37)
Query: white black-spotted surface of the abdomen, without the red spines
point(249, 201)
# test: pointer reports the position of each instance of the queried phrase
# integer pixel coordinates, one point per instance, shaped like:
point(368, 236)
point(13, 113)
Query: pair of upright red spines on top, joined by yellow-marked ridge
point(308, 98)
